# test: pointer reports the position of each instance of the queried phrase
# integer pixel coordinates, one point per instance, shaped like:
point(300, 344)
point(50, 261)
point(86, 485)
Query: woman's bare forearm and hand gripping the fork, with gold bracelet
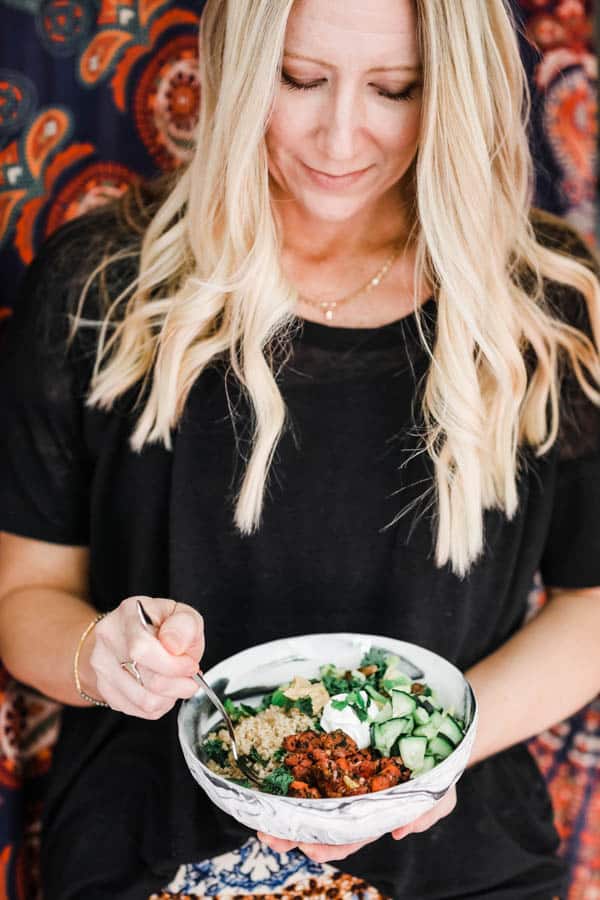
point(44, 610)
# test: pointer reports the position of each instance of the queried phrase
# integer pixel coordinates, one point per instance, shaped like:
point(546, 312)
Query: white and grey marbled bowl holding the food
point(250, 674)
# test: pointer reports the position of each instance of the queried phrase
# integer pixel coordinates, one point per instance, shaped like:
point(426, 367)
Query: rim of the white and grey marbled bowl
point(306, 802)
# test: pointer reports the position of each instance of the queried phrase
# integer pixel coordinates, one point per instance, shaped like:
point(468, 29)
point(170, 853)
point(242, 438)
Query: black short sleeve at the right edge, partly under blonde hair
point(571, 557)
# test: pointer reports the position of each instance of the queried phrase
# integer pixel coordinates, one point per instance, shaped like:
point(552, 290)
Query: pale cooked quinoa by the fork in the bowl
point(265, 733)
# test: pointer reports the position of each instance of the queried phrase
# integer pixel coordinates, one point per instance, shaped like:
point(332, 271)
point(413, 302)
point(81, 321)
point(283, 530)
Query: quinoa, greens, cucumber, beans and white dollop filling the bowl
point(346, 733)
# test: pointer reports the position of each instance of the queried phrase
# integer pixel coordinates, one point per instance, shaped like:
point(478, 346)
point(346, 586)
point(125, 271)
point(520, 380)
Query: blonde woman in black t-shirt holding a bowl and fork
point(346, 380)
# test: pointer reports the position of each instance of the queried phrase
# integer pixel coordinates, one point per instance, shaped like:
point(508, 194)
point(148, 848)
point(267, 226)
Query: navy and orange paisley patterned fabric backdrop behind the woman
point(97, 93)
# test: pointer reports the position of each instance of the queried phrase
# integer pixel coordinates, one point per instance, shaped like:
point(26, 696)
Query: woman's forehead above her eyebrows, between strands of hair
point(361, 33)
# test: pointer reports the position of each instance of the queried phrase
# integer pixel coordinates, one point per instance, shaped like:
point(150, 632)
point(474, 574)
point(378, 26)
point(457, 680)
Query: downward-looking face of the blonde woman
point(358, 112)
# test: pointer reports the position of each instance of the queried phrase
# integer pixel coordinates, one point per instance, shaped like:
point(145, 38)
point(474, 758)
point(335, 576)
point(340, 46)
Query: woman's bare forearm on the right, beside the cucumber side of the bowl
point(544, 673)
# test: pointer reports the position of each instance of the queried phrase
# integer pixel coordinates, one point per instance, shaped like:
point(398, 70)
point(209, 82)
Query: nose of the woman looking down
point(341, 124)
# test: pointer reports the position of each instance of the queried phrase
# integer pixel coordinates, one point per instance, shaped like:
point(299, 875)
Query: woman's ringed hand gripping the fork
point(165, 661)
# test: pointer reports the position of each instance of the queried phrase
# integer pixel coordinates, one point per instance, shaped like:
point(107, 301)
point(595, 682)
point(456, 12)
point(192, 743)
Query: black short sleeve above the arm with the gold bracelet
point(44, 471)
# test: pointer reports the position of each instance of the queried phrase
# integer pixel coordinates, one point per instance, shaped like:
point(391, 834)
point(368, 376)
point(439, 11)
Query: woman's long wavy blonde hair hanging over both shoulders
point(210, 282)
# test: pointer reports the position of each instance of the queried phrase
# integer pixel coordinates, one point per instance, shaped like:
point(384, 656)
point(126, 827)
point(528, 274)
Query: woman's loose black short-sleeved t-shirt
point(331, 555)
